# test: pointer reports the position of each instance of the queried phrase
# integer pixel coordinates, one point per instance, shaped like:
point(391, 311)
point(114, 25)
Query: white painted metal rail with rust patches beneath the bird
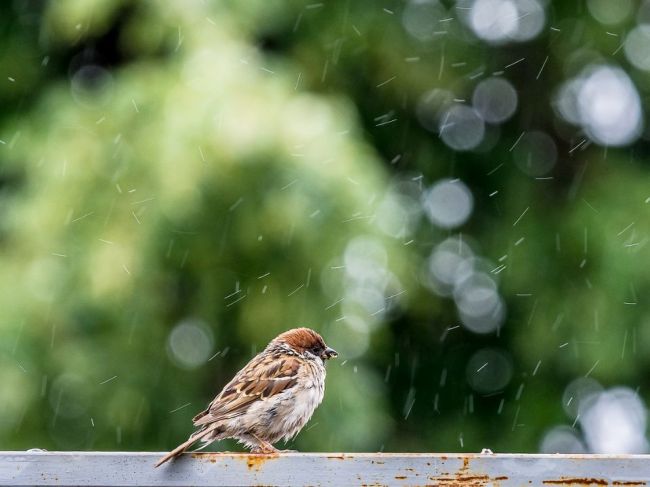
point(345, 469)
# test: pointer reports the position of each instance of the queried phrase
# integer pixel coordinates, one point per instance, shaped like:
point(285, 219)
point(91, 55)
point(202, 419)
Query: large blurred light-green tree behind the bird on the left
point(174, 211)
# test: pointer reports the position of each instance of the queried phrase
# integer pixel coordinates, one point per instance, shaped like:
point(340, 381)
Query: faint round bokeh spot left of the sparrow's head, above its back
point(190, 344)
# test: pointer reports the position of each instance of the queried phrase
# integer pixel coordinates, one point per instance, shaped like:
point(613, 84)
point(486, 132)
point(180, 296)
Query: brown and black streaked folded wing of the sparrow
point(261, 378)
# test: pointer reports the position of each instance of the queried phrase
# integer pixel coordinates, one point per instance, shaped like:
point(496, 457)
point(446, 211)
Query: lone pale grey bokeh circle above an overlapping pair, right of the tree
point(448, 203)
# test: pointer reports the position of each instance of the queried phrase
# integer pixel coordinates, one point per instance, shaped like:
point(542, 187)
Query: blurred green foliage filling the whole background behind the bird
point(214, 163)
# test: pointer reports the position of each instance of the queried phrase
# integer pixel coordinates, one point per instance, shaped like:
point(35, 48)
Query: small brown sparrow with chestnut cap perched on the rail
point(270, 399)
